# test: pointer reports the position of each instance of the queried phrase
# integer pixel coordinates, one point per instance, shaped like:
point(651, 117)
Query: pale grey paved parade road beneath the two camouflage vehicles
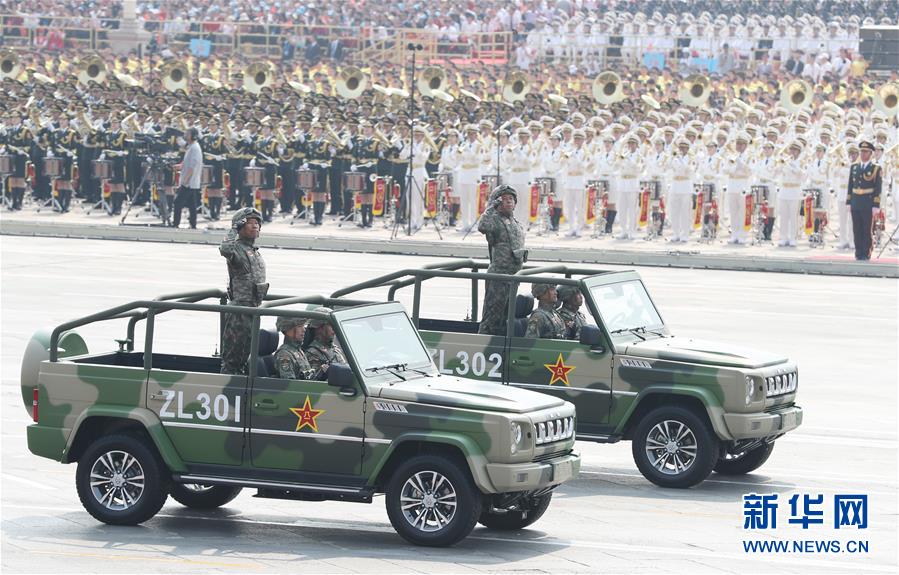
point(843, 332)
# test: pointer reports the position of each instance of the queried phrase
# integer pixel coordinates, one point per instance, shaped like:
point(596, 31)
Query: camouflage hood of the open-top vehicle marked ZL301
point(468, 394)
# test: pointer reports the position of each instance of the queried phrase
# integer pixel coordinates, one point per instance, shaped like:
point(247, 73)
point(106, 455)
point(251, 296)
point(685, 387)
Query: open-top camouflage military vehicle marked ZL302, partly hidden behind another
point(628, 376)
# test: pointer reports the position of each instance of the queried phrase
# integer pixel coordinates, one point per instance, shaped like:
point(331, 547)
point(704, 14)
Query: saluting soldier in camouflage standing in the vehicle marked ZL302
point(505, 241)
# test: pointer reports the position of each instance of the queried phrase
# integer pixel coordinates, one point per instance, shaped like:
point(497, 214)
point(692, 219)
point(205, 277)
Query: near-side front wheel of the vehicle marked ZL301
point(431, 500)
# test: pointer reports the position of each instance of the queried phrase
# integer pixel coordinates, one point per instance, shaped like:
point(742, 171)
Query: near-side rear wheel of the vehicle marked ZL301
point(121, 481)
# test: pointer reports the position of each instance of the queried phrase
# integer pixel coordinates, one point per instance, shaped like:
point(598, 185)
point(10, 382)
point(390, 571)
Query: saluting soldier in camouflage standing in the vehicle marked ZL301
point(246, 287)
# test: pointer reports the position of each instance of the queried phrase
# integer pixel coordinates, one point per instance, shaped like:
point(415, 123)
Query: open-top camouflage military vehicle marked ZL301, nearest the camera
point(366, 429)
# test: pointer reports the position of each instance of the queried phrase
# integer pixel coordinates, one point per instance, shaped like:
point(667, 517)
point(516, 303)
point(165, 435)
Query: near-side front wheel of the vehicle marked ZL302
point(674, 447)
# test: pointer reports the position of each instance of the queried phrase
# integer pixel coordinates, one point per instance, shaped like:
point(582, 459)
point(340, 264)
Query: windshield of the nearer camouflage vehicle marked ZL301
point(386, 343)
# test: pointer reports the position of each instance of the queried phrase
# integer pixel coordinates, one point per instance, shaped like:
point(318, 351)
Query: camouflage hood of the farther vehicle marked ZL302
point(702, 352)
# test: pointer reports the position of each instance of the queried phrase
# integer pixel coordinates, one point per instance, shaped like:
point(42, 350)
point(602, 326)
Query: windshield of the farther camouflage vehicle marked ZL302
point(625, 306)
